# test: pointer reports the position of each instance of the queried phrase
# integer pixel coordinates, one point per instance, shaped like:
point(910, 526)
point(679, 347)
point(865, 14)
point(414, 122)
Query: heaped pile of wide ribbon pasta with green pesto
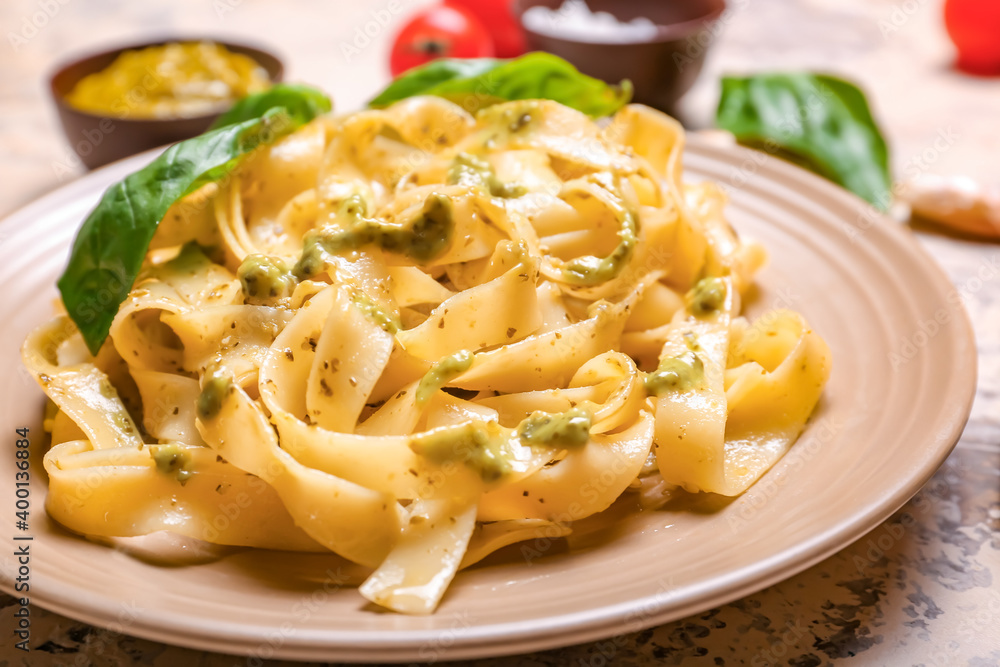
point(413, 336)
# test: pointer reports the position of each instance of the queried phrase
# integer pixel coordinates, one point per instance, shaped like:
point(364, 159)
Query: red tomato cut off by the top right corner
point(974, 27)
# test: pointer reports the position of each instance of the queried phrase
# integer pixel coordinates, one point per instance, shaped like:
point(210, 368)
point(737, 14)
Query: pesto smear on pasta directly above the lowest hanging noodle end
point(471, 444)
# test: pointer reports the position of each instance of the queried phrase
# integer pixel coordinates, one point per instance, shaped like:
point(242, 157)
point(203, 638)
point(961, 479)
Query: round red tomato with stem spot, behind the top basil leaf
point(439, 32)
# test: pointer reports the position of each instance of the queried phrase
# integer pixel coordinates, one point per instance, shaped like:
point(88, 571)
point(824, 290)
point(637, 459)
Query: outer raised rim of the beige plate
point(601, 622)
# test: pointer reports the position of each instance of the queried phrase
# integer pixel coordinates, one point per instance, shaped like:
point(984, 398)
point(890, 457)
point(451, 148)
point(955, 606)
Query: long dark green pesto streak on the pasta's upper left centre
point(426, 237)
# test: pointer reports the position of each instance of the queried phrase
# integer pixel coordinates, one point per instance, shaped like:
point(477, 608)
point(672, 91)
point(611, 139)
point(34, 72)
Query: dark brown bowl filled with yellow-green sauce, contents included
point(120, 102)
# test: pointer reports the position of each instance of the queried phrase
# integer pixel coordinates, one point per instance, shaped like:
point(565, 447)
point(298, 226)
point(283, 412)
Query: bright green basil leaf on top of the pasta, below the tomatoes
point(478, 82)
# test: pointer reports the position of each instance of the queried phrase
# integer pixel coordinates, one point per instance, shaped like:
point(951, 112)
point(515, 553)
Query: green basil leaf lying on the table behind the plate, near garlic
point(821, 119)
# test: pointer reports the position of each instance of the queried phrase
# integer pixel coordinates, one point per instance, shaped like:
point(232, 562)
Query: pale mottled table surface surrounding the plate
point(929, 596)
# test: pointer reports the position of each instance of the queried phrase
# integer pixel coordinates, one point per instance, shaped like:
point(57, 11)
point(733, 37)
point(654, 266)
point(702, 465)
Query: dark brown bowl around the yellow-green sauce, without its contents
point(100, 139)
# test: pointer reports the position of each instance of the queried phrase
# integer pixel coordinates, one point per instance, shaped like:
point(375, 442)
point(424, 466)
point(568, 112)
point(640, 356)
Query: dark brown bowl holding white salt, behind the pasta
point(661, 70)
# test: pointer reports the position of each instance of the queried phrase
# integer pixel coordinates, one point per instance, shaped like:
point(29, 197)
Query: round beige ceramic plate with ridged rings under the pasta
point(901, 389)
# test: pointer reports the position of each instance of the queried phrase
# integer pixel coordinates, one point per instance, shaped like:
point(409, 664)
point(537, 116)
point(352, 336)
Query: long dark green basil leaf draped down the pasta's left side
point(112, 242)
